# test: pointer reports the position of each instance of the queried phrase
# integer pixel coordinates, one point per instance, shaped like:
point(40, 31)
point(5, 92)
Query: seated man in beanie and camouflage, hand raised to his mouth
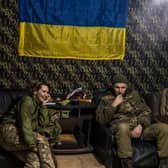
point(130, 118)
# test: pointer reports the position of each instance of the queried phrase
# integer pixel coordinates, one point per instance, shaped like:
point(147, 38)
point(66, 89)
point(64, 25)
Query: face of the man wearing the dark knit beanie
point(120, 88)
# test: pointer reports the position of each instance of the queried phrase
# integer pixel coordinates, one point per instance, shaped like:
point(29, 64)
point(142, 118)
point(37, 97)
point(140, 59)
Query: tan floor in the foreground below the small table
point(78, 161)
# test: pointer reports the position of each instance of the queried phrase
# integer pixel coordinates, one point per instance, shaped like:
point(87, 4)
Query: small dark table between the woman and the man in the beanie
point(80, 115)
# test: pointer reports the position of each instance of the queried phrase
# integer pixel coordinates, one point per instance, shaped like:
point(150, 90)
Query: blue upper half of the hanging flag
point(109, 13)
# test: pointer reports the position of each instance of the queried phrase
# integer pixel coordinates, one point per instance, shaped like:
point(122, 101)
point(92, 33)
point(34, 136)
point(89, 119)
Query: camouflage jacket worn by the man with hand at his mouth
point(133, 110)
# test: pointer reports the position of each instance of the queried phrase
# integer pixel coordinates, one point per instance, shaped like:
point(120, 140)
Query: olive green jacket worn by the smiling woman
point(28, 115)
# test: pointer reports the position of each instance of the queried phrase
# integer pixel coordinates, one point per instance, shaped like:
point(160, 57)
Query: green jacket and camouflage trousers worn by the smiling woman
point(23, 133)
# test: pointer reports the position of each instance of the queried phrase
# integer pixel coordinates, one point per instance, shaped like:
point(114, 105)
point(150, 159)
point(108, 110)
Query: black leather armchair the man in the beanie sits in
point(144, 152)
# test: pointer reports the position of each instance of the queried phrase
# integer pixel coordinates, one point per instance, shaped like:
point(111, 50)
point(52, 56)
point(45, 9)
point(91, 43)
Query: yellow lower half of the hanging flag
point(72, 42)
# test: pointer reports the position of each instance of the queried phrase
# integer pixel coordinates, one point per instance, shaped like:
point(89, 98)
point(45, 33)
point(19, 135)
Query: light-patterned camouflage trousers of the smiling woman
point(40, 158)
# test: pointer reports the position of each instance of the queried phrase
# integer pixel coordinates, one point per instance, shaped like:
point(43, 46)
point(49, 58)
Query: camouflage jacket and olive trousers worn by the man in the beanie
point(126, 116)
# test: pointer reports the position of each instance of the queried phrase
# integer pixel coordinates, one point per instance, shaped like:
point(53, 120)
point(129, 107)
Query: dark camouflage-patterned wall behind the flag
point(145, 62)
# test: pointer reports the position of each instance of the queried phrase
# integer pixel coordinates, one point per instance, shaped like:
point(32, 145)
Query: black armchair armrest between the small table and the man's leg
point(102, 140)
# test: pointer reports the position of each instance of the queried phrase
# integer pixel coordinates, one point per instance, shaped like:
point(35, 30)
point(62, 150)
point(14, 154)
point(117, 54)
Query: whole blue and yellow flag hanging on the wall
point(73, 29)
